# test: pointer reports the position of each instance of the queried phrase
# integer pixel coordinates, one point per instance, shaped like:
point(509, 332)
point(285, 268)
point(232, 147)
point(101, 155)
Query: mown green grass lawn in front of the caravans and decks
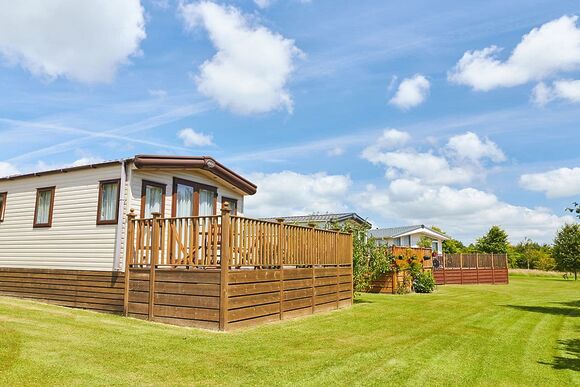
point(526, 333)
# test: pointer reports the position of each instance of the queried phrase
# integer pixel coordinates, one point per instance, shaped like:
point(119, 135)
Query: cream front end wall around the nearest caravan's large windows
point(166, 177)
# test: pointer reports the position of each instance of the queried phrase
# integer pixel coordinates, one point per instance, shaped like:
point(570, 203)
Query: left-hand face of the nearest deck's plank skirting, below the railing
point(182, 297)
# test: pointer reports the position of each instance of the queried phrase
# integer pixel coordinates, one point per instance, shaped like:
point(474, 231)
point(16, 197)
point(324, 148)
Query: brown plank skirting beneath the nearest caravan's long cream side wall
point(95, 290)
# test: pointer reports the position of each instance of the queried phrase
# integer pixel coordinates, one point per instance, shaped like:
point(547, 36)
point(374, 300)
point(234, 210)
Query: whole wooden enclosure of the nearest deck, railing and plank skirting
point(225, 271)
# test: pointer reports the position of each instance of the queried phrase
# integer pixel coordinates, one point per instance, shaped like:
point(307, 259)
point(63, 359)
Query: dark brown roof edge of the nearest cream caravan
point(155, 161)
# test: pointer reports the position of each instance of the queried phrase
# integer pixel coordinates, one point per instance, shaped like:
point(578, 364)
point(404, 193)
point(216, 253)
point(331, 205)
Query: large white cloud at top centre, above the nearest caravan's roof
point(252, 66)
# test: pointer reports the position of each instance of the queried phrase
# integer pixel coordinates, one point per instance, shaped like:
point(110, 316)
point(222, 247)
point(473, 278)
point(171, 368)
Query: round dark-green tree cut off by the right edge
point(566, 249)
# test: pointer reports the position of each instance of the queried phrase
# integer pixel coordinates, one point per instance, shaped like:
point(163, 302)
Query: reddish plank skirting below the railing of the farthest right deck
point(469, 276)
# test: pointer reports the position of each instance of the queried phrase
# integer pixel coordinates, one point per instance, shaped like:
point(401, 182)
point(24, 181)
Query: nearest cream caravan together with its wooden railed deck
point(163, 238)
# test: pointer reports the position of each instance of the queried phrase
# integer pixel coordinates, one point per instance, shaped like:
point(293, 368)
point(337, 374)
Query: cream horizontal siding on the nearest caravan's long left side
point(74, 241)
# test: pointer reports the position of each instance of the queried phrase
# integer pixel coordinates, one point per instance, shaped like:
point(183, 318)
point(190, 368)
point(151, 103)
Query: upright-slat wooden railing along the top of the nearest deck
point(202, 241)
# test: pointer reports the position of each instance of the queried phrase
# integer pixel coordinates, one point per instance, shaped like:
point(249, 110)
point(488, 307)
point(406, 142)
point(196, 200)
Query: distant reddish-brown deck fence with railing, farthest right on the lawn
point(471, 269)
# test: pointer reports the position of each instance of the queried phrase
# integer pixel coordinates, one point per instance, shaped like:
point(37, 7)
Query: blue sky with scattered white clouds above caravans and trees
point(461, 115)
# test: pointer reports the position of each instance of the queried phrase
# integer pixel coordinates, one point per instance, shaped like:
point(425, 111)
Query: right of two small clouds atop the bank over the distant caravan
point(469, 146)
